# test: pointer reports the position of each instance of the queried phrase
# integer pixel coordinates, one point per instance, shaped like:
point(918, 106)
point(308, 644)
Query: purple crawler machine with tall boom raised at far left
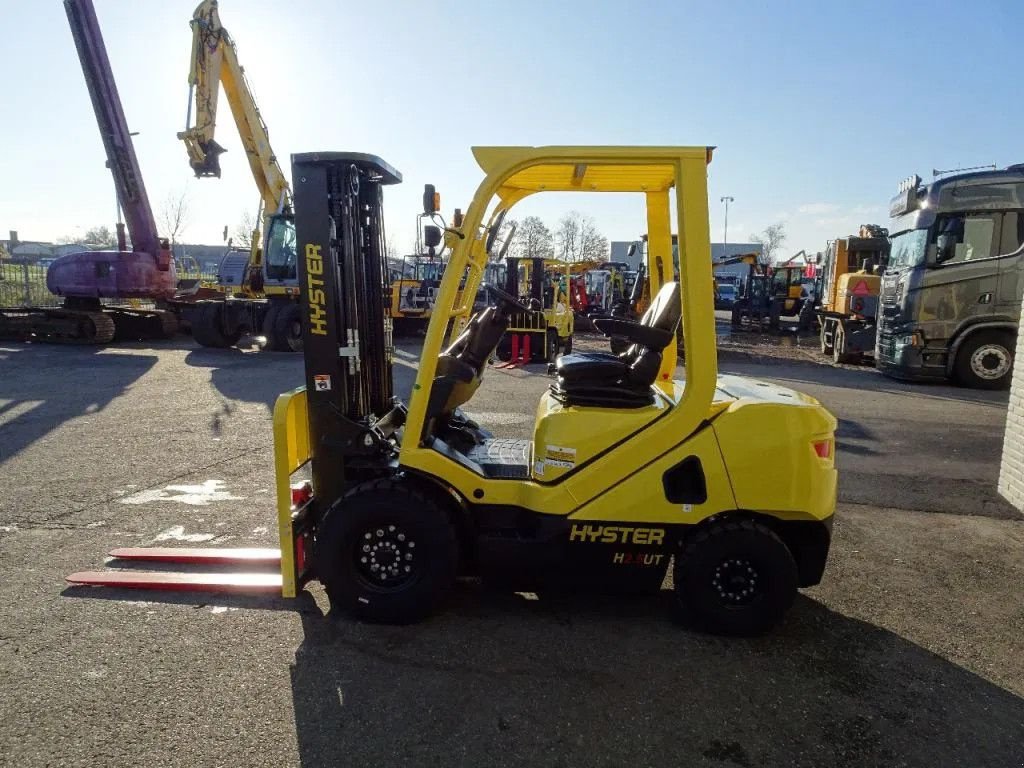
point(145, 272)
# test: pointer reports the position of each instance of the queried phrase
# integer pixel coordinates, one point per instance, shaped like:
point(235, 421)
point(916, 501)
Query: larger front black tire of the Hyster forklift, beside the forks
point(405, 528)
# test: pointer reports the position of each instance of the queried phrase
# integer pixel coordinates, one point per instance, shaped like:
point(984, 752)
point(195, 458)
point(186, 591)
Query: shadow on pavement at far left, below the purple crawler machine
point(44, 387)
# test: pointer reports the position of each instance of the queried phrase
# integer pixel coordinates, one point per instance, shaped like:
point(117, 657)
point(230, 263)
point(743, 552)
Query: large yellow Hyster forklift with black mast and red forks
point(628, 471)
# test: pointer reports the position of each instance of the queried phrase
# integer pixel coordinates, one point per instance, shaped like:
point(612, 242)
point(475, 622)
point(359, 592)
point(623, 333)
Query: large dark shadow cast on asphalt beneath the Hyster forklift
point(612, 681)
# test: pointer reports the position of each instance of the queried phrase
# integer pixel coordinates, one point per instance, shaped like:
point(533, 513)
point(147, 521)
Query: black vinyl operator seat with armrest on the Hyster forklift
point(607, 380)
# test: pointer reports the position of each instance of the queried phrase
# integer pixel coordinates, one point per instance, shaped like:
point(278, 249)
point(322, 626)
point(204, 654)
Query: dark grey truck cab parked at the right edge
point(952, 292)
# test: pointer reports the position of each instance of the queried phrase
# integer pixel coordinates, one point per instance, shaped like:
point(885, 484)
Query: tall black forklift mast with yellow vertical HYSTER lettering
point(347, 332)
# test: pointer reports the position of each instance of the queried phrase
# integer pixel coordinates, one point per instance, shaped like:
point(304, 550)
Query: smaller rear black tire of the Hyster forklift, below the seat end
point(736, 578)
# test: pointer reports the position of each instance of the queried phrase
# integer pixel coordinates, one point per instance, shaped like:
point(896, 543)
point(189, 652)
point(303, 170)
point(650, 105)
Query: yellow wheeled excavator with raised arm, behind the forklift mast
point(262, 285)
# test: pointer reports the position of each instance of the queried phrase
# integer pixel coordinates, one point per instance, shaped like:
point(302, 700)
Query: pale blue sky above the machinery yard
point(819, 109)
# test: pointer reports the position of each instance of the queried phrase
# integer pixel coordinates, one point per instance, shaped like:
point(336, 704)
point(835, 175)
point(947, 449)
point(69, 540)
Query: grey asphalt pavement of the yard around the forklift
point(907, 655)
